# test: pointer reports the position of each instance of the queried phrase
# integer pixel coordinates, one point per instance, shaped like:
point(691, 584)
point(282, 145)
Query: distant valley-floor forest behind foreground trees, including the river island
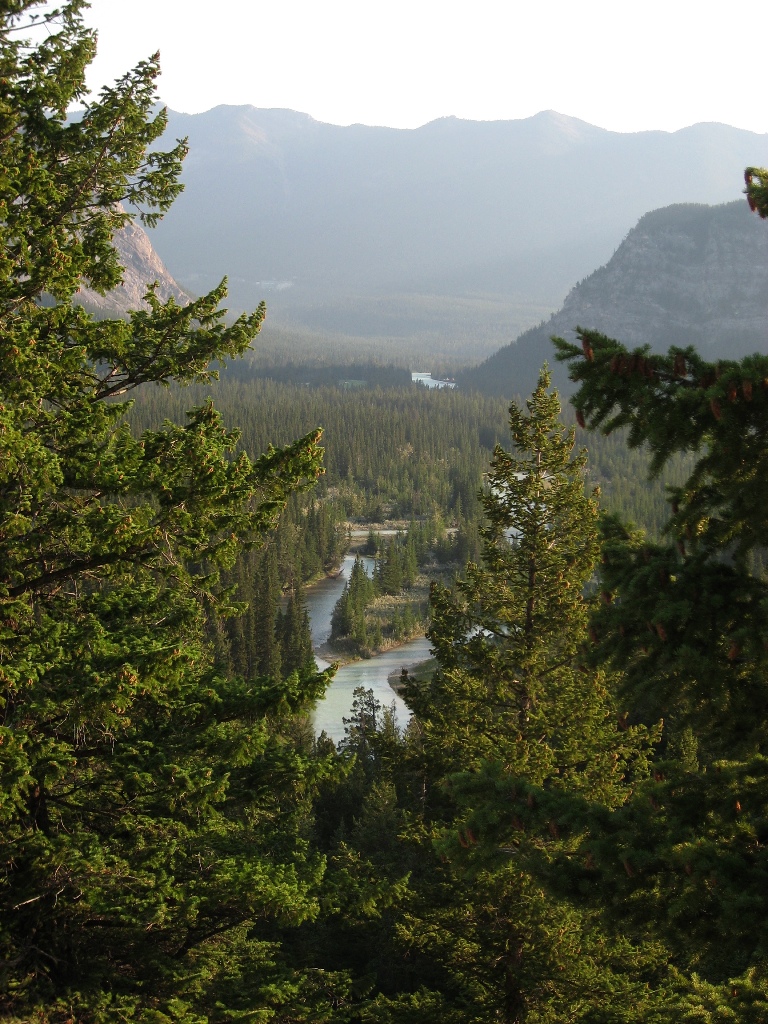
point(402, 455)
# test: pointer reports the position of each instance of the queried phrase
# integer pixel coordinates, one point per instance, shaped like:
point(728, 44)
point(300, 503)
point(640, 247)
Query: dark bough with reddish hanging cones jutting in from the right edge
point(680, 403)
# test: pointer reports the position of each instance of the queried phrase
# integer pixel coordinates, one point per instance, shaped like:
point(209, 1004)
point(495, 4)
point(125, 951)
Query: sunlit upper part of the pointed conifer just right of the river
point(513, 686)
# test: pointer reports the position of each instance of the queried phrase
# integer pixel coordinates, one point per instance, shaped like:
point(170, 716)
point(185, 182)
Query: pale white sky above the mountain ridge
point(660, 64)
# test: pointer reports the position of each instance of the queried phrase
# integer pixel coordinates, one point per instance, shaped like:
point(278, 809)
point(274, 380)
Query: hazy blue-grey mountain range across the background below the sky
point(461, 229)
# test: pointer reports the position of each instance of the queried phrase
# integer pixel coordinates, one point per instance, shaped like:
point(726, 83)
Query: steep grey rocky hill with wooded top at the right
point(686, 275)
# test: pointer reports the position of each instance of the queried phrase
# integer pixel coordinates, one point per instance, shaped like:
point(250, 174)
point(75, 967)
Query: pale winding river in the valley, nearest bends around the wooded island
point(373, 673)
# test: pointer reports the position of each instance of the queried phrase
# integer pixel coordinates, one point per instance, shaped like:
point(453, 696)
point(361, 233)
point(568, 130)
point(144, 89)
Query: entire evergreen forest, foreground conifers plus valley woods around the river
point(573, 825)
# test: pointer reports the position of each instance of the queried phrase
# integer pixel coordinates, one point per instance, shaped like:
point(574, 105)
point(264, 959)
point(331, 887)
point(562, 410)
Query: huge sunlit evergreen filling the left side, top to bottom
point(151, 823)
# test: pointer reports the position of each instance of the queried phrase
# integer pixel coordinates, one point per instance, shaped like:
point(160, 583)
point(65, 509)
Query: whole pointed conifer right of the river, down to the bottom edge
point(518, 728)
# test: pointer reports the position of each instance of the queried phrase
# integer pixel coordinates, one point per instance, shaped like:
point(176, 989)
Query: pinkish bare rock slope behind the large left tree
point(143, 267)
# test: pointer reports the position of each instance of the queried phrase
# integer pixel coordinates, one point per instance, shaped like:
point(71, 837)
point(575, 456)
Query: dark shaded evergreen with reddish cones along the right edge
point(687, 619)
